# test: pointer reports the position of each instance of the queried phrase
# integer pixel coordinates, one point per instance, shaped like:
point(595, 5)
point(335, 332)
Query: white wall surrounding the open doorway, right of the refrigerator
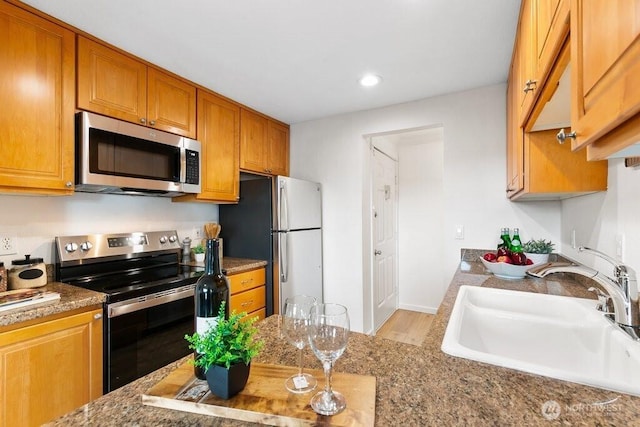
point(334, 152)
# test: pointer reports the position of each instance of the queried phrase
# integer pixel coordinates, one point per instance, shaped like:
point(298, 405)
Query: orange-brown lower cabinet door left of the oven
point(50, 368)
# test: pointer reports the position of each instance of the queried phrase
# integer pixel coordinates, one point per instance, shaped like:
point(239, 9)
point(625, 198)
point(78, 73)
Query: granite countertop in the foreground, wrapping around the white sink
point(416, 385)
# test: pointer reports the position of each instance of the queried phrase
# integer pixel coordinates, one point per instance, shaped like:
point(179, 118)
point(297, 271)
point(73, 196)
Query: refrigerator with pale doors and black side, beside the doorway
point(278, 219)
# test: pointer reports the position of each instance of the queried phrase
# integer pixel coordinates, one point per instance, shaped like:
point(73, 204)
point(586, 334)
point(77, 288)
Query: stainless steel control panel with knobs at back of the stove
point(91, 246)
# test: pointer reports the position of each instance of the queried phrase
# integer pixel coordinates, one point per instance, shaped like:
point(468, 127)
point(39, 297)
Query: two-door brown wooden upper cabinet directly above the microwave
point(117, 85)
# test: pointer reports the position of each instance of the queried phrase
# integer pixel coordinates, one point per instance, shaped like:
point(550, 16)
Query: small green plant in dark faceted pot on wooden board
point(226, 351)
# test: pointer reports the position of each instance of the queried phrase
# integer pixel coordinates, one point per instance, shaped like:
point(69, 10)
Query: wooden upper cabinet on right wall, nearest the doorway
point(538, 168)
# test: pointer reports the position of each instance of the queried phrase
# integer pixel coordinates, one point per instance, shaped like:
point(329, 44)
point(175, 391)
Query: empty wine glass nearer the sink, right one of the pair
point(328, 335)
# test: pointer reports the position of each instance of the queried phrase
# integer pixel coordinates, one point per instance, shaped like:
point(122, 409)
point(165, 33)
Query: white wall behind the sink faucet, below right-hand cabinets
point(603, 218)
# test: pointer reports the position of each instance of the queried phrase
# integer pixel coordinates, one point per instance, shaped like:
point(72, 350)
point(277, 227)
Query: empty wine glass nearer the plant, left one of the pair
point(295, 323)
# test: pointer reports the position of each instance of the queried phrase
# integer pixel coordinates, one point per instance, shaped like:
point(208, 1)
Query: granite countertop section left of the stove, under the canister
point(71, 298)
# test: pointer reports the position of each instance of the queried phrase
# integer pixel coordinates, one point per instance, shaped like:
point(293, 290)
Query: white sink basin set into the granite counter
point(555, 336)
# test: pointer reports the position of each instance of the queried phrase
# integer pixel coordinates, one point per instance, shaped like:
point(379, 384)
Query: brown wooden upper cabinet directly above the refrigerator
point(264, 144)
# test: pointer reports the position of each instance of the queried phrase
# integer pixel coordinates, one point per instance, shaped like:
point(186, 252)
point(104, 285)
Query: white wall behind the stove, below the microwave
point(37, 220)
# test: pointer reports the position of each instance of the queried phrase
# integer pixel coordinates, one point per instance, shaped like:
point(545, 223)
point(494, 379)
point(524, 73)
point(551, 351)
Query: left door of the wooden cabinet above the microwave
point(111, 83)
